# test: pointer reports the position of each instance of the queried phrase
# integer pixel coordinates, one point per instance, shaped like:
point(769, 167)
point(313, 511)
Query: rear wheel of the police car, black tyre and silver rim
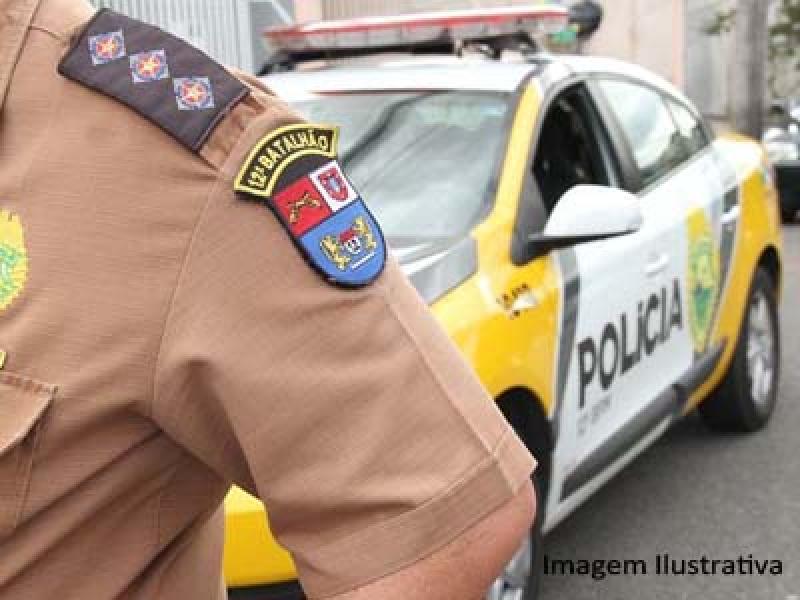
point(745, 399)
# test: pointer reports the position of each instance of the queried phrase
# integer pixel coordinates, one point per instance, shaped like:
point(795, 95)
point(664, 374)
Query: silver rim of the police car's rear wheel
point(761, 352)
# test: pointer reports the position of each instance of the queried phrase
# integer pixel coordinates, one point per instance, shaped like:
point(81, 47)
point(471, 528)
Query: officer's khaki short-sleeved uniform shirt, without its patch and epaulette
point(165, 339)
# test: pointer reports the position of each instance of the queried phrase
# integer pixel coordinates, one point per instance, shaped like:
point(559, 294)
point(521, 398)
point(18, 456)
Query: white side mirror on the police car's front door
point(589, 213)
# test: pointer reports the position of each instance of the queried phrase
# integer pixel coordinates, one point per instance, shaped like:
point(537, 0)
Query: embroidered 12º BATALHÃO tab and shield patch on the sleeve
point(295, 172)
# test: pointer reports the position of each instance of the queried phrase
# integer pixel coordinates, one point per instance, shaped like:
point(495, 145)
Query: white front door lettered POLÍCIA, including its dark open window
point(617, 310)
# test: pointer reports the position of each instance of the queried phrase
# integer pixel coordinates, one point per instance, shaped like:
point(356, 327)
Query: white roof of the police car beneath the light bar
point(453, 73)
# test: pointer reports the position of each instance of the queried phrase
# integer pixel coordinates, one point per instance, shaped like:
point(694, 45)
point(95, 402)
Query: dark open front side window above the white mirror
point(572, 148)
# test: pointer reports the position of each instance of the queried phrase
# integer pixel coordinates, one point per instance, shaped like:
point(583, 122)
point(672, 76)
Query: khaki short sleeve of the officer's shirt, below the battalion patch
point(348, 412)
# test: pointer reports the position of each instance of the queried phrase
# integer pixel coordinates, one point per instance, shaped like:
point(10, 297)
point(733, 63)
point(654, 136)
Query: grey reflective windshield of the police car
point(423, 161)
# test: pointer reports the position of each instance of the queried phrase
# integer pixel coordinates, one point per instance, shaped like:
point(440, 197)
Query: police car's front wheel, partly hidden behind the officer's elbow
point(522, 576)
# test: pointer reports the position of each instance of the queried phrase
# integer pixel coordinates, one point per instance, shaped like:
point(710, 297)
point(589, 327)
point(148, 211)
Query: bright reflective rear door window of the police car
point(654, 139)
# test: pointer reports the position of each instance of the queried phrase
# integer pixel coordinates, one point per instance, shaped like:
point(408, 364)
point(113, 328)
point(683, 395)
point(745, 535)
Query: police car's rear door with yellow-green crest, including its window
point(692, 210)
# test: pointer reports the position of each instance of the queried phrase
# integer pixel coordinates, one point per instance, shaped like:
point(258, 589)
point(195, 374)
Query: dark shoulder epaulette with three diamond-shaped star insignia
point(165, 79)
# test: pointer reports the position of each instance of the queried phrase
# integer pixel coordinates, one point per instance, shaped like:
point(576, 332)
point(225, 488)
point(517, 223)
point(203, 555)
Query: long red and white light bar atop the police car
point(418, 29)
